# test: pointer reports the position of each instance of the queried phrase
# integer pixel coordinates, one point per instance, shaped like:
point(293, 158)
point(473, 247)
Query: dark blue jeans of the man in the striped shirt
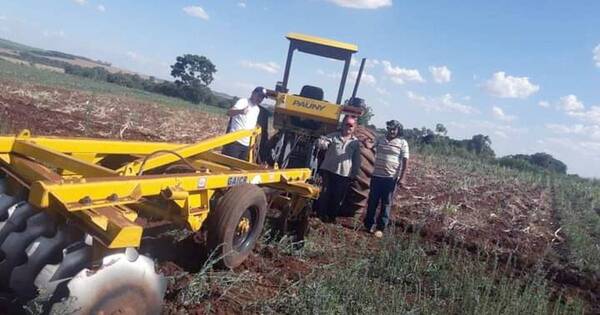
point(382, 190)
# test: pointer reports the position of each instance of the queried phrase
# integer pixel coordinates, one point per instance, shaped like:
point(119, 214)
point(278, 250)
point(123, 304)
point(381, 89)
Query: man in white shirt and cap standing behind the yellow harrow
point(243, 116)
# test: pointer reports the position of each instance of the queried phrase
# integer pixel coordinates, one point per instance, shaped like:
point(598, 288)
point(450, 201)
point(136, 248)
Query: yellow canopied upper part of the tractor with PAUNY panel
point(306, 112)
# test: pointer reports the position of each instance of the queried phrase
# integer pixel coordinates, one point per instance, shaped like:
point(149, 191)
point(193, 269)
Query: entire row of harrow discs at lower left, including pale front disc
point(43, 258)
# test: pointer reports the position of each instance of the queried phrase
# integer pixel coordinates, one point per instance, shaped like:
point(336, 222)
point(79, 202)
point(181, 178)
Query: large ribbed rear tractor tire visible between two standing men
point(358, 194)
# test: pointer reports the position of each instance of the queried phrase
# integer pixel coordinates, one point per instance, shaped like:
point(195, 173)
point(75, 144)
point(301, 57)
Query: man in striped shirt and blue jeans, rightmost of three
point(390, 166)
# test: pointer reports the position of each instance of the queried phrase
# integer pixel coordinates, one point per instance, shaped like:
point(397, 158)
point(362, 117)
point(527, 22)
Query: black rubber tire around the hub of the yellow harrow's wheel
point(224, 220)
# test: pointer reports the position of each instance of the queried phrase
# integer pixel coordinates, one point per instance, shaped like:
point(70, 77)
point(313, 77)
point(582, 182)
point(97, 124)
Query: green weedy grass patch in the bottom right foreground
point(403, 279)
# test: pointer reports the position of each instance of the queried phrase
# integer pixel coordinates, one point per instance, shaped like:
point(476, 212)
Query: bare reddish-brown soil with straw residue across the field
point(444, 205)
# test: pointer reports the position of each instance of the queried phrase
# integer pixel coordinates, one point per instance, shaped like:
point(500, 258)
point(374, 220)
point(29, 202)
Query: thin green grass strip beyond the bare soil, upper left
point(28, 74)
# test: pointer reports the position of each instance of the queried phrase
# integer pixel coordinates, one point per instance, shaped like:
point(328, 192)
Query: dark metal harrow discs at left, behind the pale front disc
point(19, 269)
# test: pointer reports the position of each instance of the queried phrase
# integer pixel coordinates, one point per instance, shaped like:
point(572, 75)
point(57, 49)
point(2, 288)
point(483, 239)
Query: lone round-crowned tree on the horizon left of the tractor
point(193, 70)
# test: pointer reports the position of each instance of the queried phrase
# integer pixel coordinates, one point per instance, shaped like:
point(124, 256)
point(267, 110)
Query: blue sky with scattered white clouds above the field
point(525, 73)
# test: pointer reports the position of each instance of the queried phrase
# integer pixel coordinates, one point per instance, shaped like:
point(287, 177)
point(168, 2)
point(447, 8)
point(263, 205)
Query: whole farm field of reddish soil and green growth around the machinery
point(467, 237)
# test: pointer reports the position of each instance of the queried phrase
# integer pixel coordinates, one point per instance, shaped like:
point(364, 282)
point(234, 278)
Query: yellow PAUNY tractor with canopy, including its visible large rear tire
point(299, 119)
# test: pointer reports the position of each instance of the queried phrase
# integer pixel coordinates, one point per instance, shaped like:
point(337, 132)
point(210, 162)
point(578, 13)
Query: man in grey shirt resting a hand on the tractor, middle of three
point(339, 167)
